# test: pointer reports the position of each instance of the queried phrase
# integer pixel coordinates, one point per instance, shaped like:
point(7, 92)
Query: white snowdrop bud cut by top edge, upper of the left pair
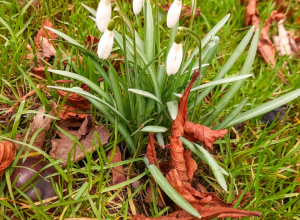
point(103, 15)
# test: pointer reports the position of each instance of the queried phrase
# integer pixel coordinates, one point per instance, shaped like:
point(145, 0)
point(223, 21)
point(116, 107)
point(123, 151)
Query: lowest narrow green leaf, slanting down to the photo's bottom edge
point(169, 190)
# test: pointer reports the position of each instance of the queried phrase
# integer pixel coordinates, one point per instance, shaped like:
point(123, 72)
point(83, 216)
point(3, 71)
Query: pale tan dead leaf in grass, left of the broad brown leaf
point(39, 121)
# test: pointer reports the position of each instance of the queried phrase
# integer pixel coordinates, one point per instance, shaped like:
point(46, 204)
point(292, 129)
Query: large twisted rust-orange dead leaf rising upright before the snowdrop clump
point(180, 177)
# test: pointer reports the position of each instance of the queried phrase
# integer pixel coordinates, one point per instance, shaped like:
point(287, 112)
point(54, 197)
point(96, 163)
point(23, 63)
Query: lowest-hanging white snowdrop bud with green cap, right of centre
point(175, 54)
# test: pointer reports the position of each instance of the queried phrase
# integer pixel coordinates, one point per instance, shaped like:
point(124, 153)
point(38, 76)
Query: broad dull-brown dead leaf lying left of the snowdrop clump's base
point(83, 130)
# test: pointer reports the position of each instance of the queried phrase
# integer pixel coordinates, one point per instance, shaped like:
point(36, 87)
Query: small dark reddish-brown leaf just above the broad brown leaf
point(77, 100)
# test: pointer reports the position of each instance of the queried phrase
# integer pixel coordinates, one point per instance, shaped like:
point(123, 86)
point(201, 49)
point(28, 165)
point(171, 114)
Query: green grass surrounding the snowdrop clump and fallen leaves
point(261, 161)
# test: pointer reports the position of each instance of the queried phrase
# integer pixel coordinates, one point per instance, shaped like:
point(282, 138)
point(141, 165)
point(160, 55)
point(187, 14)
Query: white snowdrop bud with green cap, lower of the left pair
point(106, 42)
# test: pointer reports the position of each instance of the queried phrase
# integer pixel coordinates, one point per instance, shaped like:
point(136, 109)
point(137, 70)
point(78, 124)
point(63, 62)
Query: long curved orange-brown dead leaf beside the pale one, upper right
point(265, 46)
